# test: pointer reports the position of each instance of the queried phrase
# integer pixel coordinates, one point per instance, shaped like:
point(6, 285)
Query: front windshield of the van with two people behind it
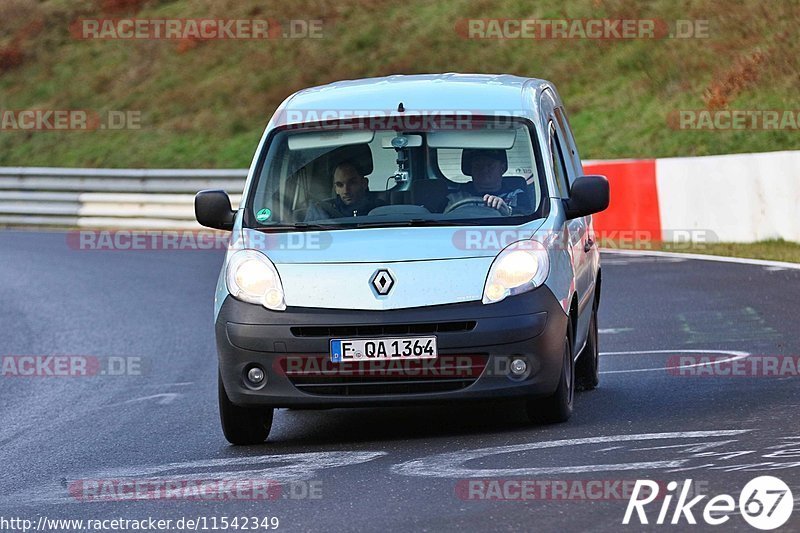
point(348, 175)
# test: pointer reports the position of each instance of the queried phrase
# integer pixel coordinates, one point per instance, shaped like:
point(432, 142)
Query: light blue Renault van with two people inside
point(409, 239)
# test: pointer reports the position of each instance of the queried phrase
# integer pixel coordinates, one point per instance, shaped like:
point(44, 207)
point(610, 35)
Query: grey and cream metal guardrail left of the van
point(125, 198)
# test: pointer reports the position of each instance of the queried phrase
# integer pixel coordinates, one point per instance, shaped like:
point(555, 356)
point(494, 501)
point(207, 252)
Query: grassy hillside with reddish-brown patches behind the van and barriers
point(205, 103)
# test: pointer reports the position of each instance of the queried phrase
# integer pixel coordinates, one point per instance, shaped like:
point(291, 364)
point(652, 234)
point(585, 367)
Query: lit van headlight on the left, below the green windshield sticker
point(251, 277)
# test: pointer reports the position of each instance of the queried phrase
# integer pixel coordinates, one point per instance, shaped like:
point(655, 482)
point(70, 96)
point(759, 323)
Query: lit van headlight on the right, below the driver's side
point(520, 267)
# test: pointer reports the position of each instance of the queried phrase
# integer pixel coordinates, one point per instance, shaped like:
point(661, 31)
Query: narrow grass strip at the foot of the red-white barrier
point(773, 250)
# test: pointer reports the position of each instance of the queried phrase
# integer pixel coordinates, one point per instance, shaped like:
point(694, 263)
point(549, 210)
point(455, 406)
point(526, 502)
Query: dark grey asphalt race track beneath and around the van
point(398, 468)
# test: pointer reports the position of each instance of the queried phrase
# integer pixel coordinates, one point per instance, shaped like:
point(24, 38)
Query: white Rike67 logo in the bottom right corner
point(765, 503)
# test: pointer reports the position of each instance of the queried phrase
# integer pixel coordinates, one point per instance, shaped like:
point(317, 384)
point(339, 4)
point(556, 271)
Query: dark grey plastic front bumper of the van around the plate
point(476, 343)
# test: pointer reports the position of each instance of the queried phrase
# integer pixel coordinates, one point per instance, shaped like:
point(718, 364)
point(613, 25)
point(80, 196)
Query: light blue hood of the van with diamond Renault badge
point(346, 269)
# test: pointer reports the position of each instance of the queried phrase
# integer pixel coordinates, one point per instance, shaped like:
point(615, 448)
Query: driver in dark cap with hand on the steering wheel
point(486, 166)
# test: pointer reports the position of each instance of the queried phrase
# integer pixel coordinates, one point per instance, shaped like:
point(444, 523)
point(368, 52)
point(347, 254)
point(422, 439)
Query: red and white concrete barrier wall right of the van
point(731, 198)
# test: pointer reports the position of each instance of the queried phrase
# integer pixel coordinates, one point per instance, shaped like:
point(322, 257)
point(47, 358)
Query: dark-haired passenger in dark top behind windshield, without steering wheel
point(352, 196)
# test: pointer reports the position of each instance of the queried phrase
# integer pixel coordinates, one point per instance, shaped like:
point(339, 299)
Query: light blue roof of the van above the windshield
point(423, 93)
